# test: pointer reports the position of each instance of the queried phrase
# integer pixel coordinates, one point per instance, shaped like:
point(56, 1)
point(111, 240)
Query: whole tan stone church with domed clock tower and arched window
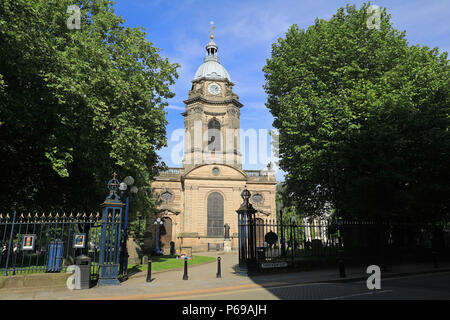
point(198, 199)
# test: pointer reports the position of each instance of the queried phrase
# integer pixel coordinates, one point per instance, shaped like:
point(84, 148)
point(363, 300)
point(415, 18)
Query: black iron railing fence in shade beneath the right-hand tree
point(321, 240)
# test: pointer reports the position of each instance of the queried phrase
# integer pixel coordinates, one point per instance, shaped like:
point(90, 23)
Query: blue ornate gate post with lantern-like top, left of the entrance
point(110, 236)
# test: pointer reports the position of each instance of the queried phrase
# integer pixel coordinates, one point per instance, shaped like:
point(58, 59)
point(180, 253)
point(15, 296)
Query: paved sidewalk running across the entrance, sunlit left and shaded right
point(202, 280)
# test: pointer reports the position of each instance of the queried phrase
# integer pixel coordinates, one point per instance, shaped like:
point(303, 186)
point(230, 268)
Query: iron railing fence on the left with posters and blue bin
point(35, 243)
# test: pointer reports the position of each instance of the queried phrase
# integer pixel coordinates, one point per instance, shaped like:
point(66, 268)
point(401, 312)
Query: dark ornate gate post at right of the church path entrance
point(247, 234)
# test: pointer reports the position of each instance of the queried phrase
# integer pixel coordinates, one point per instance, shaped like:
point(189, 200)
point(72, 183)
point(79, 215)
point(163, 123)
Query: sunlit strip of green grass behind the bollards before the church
point(160, 263)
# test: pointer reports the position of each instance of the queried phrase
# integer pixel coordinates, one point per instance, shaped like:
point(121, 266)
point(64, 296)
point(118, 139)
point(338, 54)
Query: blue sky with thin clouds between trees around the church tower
point(245, 32)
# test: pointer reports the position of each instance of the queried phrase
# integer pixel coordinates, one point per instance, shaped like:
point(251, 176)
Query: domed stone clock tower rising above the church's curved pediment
point(212, 114)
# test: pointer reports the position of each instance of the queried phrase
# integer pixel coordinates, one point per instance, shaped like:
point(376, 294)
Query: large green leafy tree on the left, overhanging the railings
point(76, 105)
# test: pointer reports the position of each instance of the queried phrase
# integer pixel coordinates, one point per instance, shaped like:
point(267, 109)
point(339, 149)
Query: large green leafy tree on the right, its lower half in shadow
point(363, 118)
